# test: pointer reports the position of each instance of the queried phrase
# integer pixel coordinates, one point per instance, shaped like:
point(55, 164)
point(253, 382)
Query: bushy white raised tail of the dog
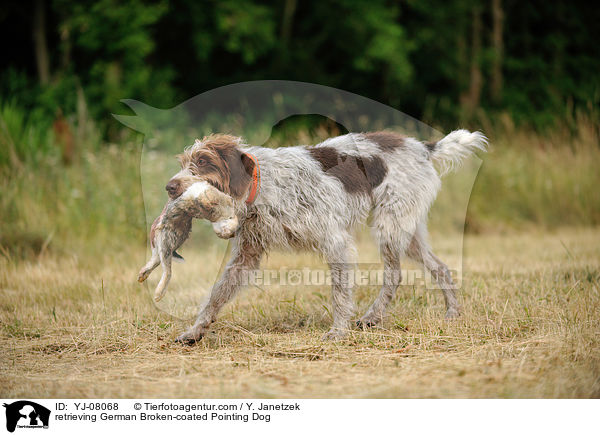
point(452, 150)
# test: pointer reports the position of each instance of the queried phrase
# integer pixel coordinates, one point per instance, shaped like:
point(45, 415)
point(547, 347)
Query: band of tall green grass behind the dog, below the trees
point(526, 180)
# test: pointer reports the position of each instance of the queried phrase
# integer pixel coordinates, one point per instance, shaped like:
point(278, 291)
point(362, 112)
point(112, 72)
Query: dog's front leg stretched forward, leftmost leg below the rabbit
point(244, 259)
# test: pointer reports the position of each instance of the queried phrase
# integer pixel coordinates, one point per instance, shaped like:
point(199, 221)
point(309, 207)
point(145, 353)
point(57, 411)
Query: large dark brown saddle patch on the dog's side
point(357, 174)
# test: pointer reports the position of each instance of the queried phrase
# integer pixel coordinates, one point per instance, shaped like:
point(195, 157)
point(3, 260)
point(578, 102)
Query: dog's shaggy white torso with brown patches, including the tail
point(309, 193)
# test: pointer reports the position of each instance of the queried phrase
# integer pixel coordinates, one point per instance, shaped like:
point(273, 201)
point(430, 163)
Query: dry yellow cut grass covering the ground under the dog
point(82, 327)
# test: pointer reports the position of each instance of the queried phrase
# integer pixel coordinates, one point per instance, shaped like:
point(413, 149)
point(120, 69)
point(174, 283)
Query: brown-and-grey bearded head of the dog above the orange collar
point(218, 160)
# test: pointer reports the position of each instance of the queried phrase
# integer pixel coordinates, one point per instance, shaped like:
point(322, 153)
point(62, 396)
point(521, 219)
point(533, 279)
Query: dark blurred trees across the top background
point(445, 62)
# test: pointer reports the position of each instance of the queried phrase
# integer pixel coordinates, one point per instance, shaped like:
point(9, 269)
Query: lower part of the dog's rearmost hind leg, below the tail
point(420, 251)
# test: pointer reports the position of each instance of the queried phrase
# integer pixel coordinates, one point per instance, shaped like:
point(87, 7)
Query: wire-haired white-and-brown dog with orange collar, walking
point(311, 197)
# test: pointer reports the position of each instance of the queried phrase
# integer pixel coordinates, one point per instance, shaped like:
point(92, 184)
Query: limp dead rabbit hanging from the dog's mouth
point(172, 228)
